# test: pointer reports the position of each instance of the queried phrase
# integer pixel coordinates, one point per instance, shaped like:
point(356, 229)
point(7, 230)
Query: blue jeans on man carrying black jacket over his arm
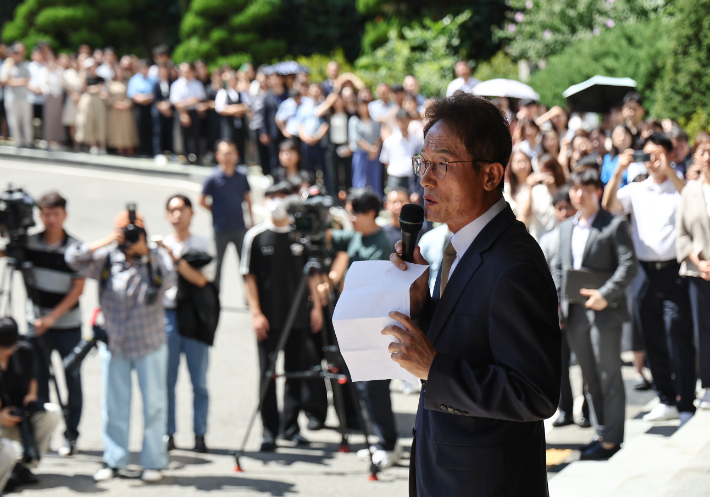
point(197, 355)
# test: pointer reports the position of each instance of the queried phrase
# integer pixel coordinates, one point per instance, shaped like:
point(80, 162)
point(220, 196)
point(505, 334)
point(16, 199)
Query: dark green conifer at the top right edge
point(685, 85)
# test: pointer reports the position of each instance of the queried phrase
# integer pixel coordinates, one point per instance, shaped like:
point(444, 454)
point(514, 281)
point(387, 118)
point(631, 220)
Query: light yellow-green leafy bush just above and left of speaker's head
point(423, 49)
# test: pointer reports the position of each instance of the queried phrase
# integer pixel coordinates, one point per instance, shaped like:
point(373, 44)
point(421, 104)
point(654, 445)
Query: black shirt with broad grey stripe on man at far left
point(51, 280)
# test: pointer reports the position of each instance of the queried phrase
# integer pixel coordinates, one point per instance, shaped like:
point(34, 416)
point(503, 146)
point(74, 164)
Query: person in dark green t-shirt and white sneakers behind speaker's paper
point(368, 242)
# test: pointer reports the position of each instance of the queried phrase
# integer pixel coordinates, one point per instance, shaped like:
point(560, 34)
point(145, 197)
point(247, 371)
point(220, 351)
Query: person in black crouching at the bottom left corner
point(18, 393)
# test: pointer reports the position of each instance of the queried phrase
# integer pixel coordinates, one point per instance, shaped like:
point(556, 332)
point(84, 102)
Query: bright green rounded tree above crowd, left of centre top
point(229, 32)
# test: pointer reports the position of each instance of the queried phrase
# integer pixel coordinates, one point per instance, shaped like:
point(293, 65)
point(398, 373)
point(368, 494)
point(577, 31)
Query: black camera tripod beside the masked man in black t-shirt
point(314, 266)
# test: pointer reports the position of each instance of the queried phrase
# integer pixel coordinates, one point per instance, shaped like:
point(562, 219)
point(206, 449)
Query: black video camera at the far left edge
point(16, 217)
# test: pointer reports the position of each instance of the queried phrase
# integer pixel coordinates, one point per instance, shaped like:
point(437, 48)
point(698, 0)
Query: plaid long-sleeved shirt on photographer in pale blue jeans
point(134, 327)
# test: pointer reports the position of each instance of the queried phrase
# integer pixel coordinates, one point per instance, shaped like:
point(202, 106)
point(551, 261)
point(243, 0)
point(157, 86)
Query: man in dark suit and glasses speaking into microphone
point(487, 343)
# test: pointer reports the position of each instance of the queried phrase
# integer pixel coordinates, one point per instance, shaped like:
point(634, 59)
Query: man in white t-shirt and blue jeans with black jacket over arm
point(179, 212)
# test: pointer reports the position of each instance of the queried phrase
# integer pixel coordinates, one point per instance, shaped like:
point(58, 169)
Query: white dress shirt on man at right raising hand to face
point(653, 209)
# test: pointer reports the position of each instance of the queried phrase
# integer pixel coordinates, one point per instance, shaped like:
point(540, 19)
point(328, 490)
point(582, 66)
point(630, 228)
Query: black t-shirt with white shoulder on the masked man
point(277, 263)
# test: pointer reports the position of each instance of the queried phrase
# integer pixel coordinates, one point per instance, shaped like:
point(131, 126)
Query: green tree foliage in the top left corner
point(127, 25)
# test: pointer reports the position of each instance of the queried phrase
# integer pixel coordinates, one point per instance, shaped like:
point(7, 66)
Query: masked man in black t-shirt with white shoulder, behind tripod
point(272, 266)
